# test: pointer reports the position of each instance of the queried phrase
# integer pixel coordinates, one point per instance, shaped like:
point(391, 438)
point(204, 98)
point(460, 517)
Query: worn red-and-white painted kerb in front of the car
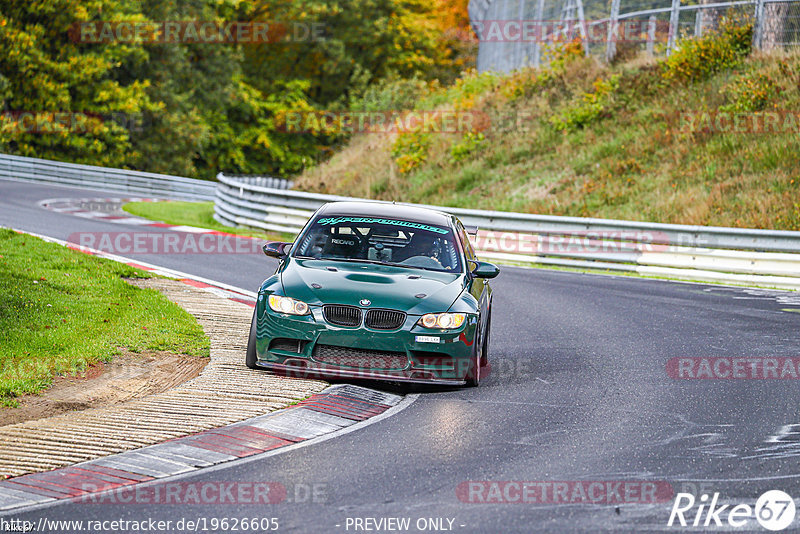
point(331, 410)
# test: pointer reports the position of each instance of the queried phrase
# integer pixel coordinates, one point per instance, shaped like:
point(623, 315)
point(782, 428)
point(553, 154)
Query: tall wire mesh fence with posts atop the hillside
point(517, 33)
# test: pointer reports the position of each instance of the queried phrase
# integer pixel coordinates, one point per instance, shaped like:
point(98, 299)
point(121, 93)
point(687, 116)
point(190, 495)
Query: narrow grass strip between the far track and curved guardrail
point(199, 214)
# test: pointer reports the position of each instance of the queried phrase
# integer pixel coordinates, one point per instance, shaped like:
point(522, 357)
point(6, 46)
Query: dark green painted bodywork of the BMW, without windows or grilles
point(413, 291)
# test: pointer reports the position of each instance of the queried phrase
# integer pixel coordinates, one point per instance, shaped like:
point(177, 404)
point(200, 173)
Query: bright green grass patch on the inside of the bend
point(62, 311)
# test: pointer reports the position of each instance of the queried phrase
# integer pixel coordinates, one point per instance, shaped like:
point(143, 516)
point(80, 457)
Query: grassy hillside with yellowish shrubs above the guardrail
point(584, 139)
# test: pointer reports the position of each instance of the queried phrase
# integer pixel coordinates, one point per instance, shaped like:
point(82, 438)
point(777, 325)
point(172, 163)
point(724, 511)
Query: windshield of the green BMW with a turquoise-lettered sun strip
point(378, 240)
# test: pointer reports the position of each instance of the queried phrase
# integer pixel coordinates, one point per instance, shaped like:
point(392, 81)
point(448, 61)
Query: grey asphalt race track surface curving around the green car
point(579, 391)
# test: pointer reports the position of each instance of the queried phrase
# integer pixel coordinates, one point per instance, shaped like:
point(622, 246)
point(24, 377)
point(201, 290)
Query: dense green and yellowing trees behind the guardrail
point(203, 107)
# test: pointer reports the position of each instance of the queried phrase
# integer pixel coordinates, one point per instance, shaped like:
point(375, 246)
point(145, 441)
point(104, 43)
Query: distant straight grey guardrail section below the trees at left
point(106, 179)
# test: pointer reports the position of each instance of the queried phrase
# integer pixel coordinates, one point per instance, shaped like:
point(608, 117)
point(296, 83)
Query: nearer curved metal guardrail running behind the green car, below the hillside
point(717, 254)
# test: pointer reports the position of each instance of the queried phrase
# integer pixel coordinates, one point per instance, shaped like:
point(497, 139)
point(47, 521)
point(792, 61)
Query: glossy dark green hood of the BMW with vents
point(414, 291)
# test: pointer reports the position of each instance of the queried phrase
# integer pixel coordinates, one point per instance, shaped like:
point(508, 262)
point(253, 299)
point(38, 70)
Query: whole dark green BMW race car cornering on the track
point(375, 291)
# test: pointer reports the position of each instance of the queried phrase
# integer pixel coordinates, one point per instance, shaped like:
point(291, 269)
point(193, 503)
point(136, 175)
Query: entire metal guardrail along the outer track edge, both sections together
point(767, 258)
